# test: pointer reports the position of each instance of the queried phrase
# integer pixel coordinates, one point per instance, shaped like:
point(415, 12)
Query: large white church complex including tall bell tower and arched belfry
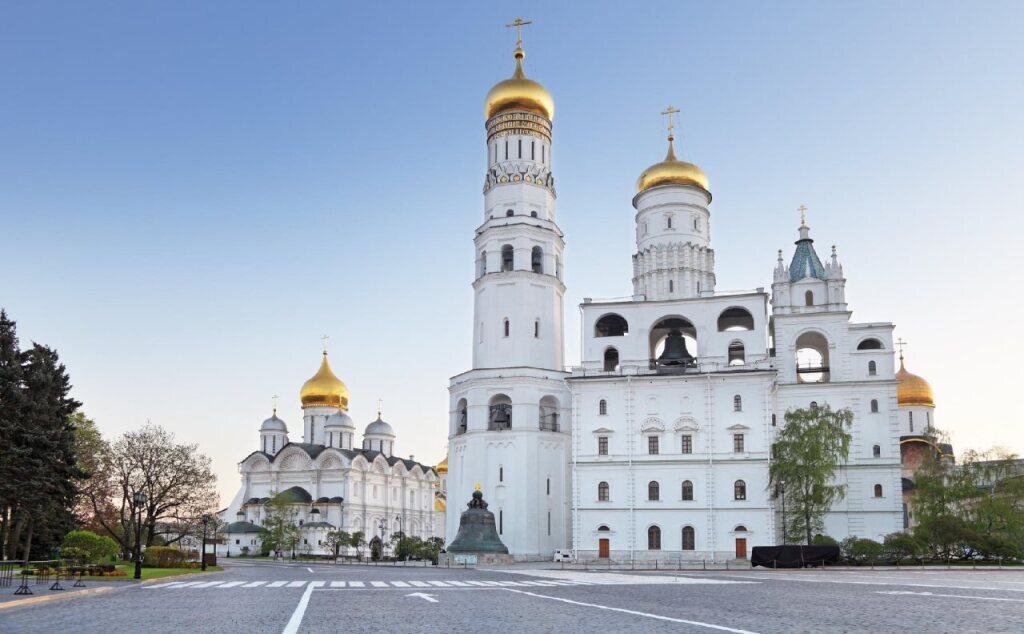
point(657, 445)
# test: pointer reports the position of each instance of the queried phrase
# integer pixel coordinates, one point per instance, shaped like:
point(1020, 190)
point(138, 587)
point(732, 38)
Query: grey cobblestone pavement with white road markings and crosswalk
point(292, 599)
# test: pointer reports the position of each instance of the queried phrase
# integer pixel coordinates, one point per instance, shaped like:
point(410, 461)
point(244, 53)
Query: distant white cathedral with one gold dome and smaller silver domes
point(331, 482)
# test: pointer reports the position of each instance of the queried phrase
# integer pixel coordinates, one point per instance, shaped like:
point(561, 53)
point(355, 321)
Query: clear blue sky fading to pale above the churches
point(192, 194)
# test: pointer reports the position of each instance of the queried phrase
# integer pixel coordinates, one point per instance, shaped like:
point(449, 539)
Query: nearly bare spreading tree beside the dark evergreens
point(177, 480)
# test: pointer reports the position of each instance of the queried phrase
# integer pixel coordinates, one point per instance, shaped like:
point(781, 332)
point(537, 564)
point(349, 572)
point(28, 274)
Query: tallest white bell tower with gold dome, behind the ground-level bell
point(509, 426)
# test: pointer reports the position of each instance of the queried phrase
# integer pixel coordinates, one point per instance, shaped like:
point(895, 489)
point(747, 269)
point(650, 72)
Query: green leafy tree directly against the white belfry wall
point(808, 452)
